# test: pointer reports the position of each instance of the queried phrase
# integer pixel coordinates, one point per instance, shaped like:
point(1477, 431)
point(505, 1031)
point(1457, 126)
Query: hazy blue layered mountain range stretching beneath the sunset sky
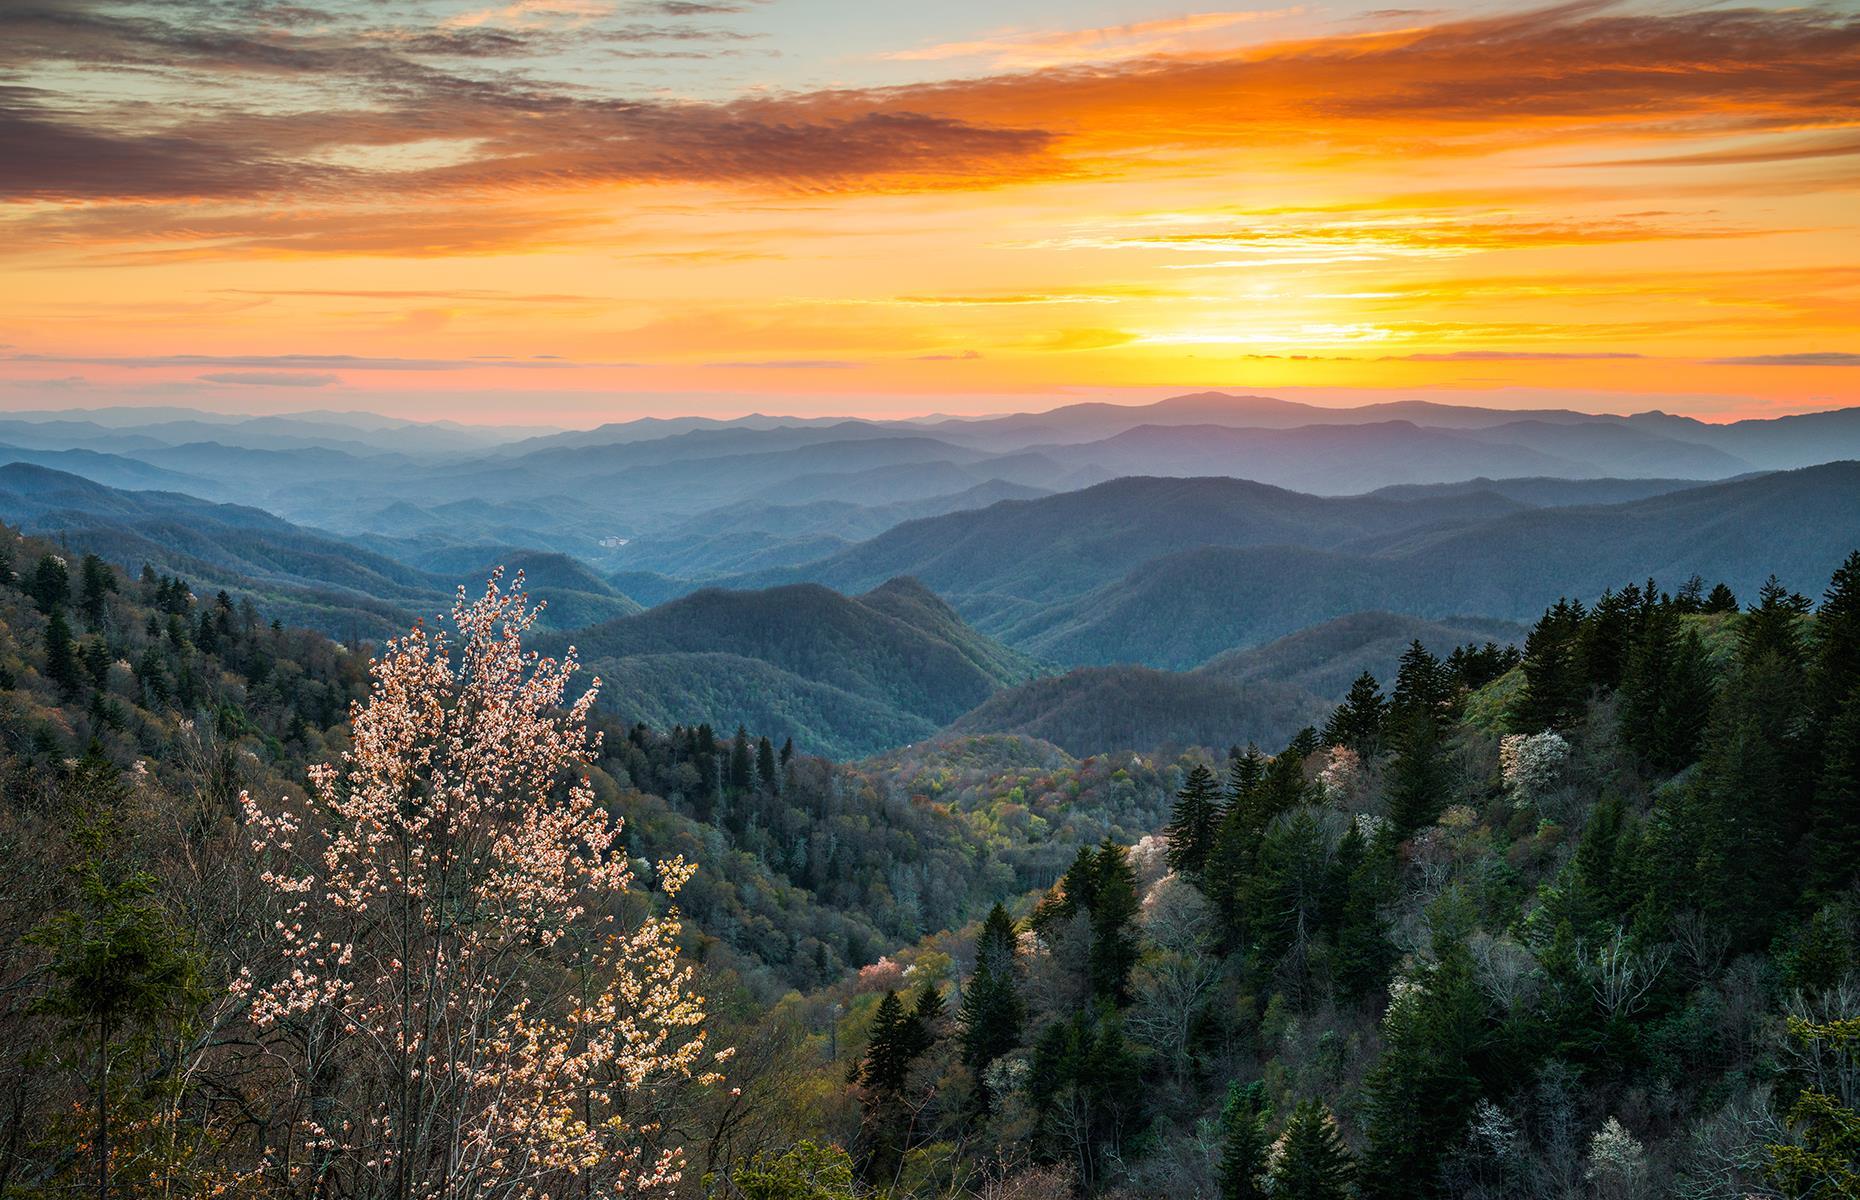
point(1202, 570)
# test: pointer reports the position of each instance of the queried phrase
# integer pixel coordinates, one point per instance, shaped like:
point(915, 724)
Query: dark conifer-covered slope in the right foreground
point(1580, 924)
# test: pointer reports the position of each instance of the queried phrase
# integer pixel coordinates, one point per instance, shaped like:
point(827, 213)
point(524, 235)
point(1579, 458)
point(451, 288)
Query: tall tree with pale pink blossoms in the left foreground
point(460, 1002)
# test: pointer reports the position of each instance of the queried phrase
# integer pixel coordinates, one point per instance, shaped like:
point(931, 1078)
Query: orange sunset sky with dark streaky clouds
point(579, 211)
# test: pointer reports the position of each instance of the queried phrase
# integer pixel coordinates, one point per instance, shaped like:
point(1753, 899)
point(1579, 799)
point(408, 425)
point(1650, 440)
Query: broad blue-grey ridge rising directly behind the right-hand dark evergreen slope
point(1175, 572)
